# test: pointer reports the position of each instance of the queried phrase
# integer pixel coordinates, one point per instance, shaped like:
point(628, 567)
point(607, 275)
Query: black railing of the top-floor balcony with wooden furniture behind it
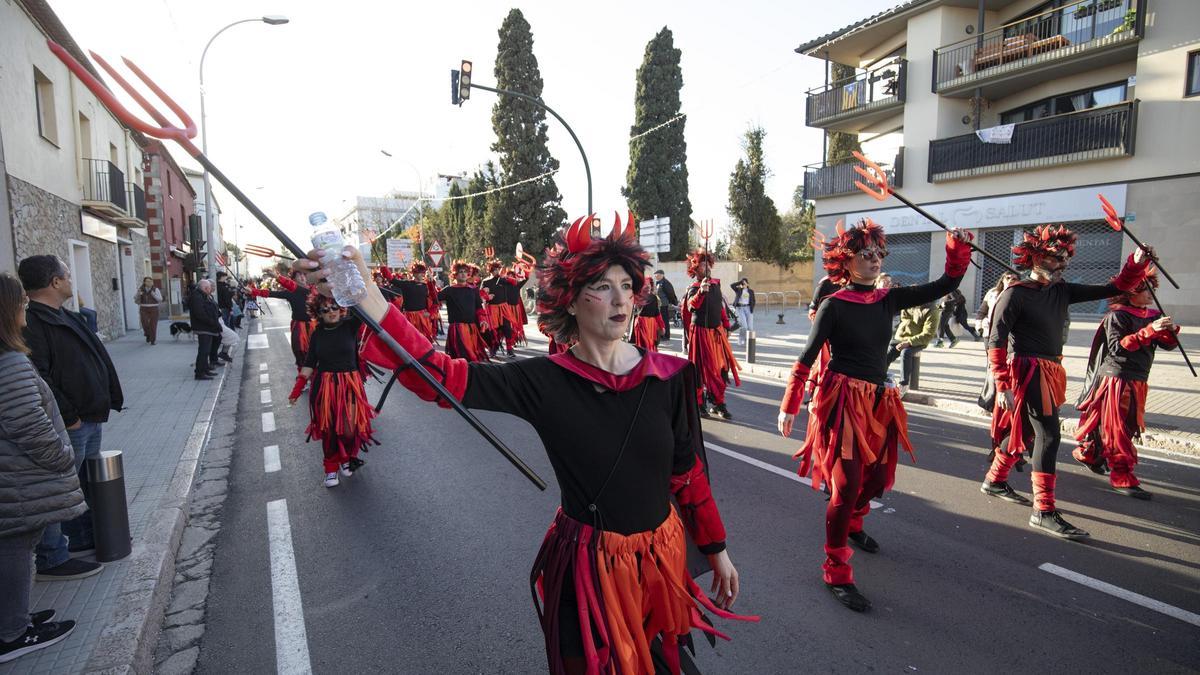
point(1045, 37)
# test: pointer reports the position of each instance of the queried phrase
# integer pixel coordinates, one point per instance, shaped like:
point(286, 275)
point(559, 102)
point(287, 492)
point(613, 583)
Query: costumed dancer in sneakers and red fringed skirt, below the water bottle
point(338, 402)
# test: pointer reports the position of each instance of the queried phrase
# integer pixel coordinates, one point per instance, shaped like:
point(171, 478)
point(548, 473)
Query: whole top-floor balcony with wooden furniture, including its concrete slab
point(1065, 41)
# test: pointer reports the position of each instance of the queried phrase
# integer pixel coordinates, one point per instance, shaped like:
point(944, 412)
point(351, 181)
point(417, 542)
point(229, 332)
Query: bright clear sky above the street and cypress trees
point(297, 115)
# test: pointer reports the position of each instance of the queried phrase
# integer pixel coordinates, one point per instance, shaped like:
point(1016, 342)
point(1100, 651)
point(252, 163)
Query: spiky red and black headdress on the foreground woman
point(579, 259)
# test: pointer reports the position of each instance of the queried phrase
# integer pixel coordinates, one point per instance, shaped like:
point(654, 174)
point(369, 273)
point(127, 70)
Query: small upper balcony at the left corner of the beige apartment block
point(855, 105)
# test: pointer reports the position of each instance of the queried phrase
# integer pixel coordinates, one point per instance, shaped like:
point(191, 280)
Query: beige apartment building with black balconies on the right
point(1004, 115)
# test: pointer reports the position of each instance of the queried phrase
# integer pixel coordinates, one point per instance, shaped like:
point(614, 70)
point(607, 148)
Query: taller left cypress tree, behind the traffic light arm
point(533, 208)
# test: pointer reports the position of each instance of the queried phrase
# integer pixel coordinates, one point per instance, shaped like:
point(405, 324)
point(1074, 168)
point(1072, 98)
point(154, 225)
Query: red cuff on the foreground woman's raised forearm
point(452, 373)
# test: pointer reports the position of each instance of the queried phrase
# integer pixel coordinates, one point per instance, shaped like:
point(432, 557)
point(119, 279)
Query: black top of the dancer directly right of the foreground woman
point(859, 334)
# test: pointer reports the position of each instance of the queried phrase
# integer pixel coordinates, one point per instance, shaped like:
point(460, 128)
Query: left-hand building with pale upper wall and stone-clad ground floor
point(73, 171)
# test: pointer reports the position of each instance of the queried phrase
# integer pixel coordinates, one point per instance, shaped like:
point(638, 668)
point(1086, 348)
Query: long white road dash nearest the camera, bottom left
point(291, 638)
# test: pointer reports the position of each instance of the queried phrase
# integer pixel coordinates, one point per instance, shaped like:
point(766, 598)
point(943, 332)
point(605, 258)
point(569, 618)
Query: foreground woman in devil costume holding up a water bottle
point(611, 583)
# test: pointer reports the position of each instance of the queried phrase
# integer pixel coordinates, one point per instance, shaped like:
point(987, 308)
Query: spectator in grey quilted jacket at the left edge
point(39, 486)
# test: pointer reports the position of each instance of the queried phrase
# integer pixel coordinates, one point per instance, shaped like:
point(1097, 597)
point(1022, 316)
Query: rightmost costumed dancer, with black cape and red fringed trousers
point(1113, 404)
